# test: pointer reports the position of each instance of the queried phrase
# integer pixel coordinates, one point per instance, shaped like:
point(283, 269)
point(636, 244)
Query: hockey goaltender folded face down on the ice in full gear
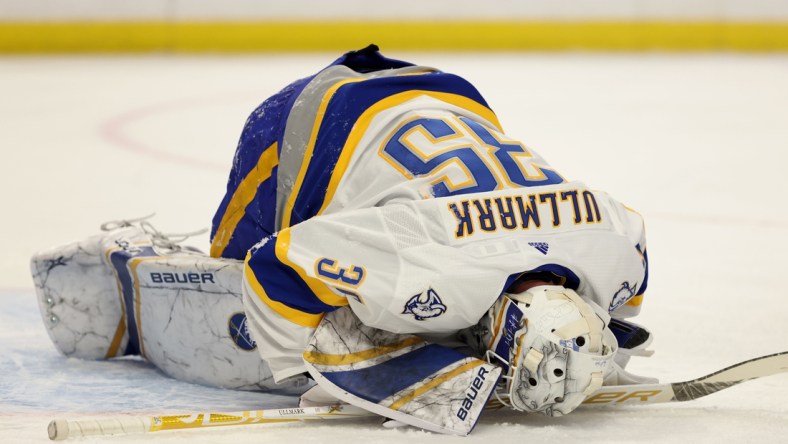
point(385, 248)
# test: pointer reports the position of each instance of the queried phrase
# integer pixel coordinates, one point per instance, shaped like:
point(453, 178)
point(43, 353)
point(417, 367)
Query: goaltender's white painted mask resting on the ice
point(554, 347)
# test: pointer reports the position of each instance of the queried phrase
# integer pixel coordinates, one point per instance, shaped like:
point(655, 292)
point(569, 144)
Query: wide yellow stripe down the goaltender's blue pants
point(243, 195)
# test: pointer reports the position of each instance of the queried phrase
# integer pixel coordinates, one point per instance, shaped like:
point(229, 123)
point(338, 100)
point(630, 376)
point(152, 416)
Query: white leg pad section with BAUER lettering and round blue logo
point(191, 322)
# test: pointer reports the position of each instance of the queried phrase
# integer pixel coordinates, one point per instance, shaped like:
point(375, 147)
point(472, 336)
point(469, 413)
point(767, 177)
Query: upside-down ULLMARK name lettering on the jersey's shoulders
point(523, 211)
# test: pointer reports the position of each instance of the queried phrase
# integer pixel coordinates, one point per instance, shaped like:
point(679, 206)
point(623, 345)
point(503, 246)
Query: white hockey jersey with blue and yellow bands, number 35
point(398, 194)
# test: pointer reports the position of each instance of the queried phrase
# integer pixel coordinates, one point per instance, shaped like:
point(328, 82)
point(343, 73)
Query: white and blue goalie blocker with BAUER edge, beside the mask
point(402, 377)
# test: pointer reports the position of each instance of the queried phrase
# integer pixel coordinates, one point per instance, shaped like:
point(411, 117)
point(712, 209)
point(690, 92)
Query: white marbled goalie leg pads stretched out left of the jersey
point(132, 292)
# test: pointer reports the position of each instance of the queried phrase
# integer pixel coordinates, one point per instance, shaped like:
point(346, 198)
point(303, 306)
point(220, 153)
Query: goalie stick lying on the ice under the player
point(760, 367)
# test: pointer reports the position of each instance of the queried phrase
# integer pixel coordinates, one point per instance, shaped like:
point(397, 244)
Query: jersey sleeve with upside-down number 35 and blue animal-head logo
point(393, 265)
